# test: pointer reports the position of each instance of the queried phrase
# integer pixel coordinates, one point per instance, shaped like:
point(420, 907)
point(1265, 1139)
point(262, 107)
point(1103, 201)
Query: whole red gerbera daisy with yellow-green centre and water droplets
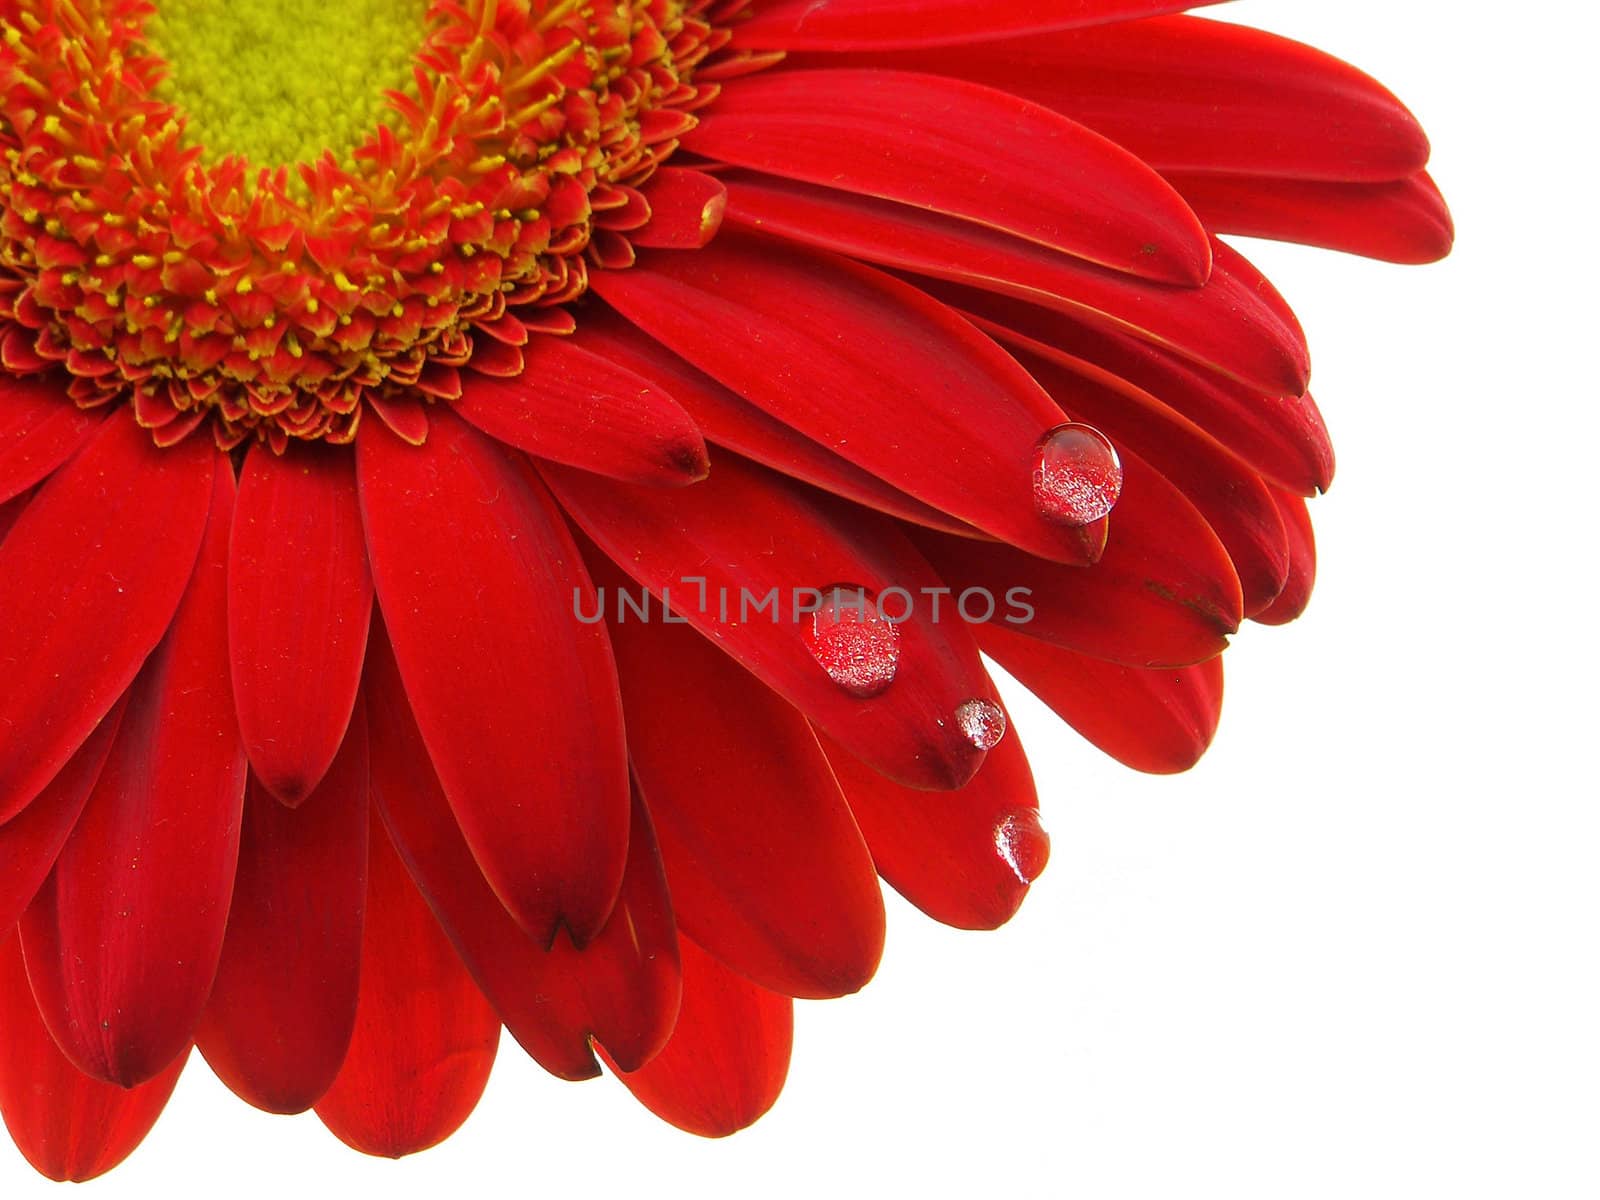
point(367, 367)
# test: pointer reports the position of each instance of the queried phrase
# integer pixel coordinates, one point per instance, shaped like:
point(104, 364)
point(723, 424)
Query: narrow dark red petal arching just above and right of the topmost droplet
point(1234, 502)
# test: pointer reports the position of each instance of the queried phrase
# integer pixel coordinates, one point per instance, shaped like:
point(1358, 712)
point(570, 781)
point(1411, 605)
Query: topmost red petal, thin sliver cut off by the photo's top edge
point(884, 25)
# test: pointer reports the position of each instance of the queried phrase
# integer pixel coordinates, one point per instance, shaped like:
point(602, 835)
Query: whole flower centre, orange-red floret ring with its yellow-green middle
point(279, 215)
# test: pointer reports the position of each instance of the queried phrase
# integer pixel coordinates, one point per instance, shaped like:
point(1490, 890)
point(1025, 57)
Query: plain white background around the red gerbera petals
point(1354, 951)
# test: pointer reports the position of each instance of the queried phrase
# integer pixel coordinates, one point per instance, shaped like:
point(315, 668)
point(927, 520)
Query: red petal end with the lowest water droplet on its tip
point(966, 858)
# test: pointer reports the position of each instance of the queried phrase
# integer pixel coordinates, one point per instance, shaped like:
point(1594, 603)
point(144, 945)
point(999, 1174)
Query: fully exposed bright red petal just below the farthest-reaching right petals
point(932, 143)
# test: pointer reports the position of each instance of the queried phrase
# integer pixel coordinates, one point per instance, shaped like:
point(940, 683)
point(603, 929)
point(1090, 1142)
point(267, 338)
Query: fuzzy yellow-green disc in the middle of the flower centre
point(282, 81)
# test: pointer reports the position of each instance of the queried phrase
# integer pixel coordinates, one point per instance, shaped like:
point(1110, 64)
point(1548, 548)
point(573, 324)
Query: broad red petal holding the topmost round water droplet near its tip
point(958, 430)
